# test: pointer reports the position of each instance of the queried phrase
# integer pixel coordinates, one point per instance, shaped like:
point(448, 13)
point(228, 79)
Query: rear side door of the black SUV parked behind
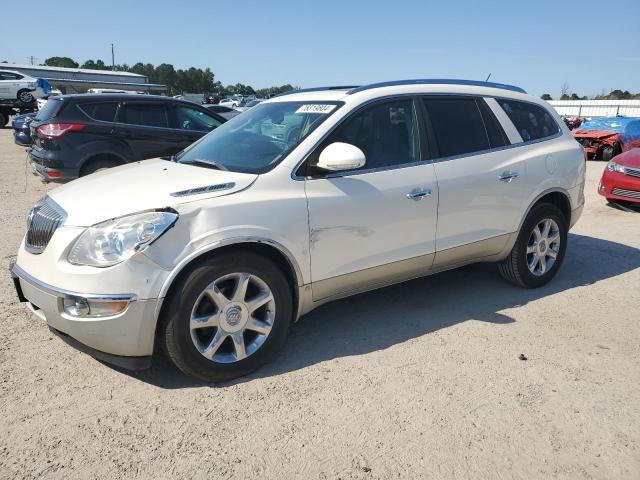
point(145, 127)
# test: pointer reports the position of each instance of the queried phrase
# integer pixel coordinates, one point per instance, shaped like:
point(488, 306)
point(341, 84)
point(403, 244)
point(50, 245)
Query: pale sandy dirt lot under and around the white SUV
point(420, 380)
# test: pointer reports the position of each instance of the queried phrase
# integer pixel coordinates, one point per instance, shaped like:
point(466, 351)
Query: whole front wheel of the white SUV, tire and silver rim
point(227, 317)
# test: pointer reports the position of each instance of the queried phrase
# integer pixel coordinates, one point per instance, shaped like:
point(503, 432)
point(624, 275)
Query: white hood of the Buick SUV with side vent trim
point(140, 186)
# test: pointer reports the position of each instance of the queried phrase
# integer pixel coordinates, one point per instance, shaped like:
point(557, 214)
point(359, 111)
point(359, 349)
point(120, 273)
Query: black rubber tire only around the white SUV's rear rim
point(515, 268)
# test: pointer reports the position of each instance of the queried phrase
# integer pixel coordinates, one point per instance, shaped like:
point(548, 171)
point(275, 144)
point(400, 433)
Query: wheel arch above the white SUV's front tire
point(270, 248)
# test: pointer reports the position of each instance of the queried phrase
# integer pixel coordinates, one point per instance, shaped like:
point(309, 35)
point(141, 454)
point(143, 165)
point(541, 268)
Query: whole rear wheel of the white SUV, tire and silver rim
point(539, 249)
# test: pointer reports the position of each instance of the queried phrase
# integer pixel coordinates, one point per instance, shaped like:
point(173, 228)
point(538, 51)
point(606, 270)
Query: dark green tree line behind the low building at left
point(190, 80)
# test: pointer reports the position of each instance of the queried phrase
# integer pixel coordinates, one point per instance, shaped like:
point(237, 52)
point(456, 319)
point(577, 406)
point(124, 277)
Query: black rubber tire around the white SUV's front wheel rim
point(174, 329)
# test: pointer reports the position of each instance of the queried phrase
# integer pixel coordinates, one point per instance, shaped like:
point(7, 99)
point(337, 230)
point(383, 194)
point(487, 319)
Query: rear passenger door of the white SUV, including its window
point(481, 184)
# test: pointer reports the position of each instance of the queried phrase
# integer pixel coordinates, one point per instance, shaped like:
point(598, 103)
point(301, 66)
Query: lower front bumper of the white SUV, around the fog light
point(125, 339)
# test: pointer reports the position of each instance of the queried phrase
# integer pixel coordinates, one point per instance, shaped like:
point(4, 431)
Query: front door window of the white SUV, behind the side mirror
point(387, 134)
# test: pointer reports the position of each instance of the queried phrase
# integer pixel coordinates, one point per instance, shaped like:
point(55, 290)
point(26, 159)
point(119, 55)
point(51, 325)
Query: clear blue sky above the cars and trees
point(539, 45)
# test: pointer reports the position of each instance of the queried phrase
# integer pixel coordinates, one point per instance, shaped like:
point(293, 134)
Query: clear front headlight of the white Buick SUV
point(111, 242)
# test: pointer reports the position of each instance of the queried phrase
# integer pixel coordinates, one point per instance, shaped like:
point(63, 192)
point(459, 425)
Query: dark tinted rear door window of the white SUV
point(458, 125)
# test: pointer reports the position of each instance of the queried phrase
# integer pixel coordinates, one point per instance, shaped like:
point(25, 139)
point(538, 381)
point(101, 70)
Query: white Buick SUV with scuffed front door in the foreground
point(303, 199)
